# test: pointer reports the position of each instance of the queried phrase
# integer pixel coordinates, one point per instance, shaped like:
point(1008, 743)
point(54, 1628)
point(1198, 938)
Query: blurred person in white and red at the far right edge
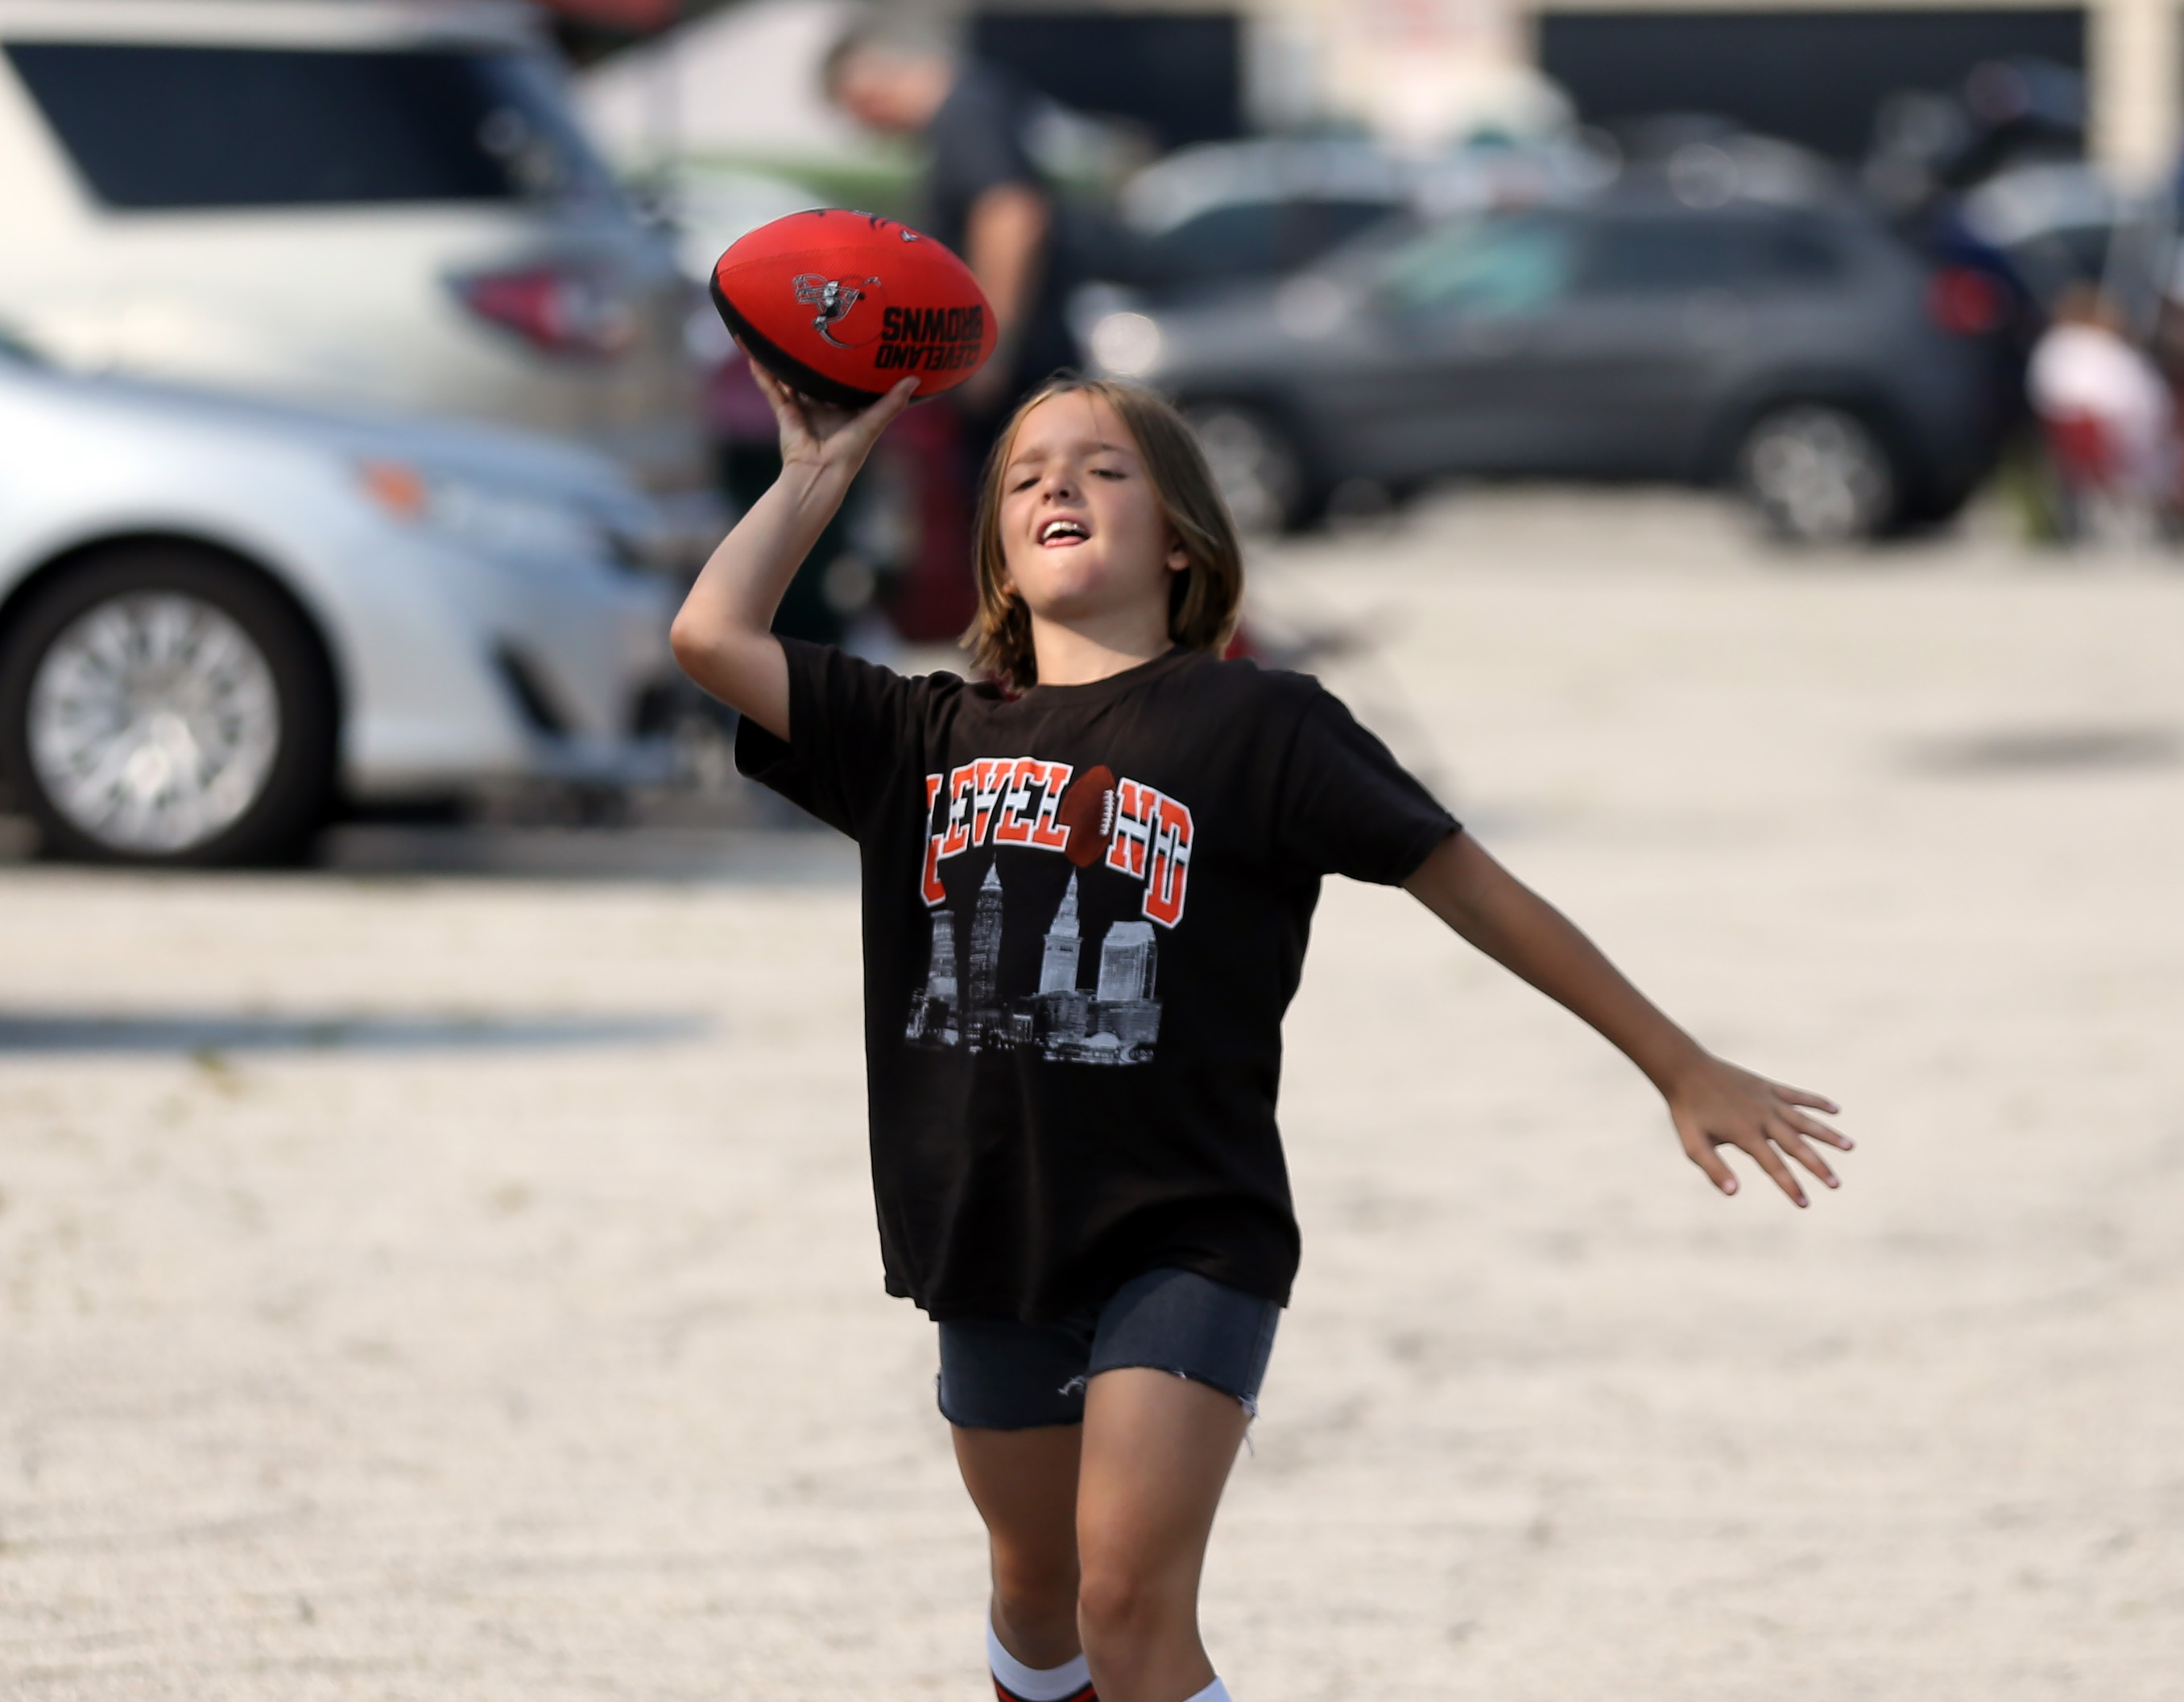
point(2109, 418)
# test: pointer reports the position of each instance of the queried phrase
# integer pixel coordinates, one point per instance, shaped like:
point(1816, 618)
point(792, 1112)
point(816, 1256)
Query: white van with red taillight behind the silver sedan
point(366, 202)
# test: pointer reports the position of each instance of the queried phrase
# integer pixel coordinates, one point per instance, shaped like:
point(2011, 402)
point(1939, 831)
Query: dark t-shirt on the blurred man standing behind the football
point(977, 143)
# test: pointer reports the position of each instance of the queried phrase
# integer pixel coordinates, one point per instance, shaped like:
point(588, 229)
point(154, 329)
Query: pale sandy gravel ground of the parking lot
point(449, 1288)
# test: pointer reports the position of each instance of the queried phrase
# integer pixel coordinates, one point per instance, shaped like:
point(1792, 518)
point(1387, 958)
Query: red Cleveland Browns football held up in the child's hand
point(846, 305)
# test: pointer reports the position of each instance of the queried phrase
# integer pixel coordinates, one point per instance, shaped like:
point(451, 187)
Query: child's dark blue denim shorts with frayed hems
point(999, 1375)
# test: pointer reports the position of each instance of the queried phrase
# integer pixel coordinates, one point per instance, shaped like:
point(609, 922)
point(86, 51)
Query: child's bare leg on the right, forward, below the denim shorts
point(1156, 1458)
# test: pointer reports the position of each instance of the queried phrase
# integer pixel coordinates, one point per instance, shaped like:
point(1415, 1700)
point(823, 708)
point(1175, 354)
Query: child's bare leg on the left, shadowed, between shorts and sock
point(1025, 1489)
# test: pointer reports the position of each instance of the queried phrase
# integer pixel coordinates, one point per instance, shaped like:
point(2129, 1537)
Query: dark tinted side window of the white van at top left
point(265, 128)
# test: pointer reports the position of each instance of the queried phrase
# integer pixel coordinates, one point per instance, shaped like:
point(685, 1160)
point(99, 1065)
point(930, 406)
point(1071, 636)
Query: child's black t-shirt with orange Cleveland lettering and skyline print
point(1084, 917)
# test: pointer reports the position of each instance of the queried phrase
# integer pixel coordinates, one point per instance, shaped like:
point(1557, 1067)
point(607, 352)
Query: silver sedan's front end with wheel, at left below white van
point(219, 617)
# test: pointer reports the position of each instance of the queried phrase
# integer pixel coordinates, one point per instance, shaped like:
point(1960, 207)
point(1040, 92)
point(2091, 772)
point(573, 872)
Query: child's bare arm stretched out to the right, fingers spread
point(1711, 1102)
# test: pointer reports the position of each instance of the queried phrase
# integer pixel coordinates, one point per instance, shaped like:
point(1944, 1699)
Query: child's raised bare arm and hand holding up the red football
point(724, 635)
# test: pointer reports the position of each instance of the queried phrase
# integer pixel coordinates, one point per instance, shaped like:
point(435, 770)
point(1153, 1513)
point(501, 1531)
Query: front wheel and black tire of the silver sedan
point(167, 707)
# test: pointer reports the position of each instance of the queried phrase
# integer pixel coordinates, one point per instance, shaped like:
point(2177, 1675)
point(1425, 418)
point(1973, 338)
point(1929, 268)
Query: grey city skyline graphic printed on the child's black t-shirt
point(964, 1002)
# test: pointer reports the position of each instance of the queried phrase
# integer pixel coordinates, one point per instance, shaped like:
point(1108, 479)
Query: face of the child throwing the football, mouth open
point(1080, 525)
